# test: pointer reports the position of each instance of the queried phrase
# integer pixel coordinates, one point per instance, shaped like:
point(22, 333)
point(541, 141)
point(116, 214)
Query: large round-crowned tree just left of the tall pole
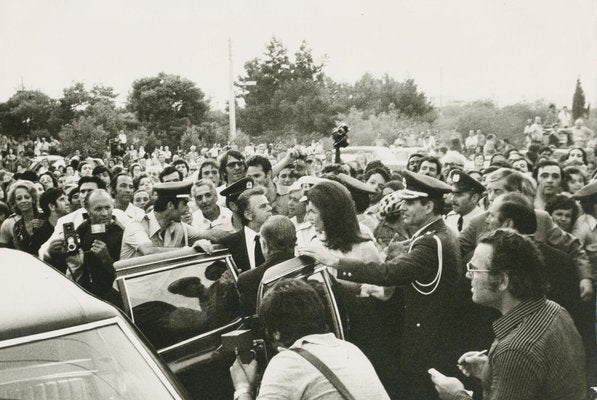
point(166, 105)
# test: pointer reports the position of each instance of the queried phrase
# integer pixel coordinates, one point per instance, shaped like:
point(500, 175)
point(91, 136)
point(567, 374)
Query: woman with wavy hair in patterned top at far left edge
point(16, 231)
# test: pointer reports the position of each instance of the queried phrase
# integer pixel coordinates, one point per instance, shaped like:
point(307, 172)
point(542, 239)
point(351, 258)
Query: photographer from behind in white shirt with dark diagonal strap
point(293, 316)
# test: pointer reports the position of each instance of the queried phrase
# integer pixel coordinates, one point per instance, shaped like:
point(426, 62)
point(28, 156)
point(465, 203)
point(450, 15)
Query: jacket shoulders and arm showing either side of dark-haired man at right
point(547, 232)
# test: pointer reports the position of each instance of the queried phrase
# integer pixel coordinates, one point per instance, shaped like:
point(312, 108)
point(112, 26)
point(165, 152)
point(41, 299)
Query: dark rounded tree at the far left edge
point(28, 111)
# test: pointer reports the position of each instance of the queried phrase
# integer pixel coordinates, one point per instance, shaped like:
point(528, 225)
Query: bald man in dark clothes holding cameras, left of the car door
point(98, 242)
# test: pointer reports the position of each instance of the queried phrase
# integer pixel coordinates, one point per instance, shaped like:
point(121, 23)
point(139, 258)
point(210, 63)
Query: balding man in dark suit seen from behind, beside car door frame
point(278, 238)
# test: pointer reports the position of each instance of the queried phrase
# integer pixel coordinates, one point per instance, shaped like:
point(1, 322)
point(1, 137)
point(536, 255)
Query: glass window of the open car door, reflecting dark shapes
point(176, 304)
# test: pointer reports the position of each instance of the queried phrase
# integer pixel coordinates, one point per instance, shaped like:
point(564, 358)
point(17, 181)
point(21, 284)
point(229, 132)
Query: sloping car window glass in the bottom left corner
point(94, 364)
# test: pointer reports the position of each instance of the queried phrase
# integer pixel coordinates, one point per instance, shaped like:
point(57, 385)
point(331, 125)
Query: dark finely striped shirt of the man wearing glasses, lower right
point(537, 354)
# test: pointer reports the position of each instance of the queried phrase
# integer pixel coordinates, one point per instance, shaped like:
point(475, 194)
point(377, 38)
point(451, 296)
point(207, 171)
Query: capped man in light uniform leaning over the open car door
point(162, 229)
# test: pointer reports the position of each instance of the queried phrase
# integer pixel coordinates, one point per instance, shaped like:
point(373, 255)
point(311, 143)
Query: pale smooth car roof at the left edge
point(36, 298)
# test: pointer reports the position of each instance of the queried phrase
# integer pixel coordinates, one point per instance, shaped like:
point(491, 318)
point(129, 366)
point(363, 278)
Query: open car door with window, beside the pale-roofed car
point(183, 301)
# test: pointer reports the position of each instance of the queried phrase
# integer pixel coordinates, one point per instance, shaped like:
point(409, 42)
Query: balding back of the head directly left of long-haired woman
point(278, 235)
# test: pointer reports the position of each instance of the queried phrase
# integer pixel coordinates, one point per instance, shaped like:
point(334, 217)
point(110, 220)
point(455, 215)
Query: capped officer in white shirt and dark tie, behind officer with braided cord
point(466, 194)
